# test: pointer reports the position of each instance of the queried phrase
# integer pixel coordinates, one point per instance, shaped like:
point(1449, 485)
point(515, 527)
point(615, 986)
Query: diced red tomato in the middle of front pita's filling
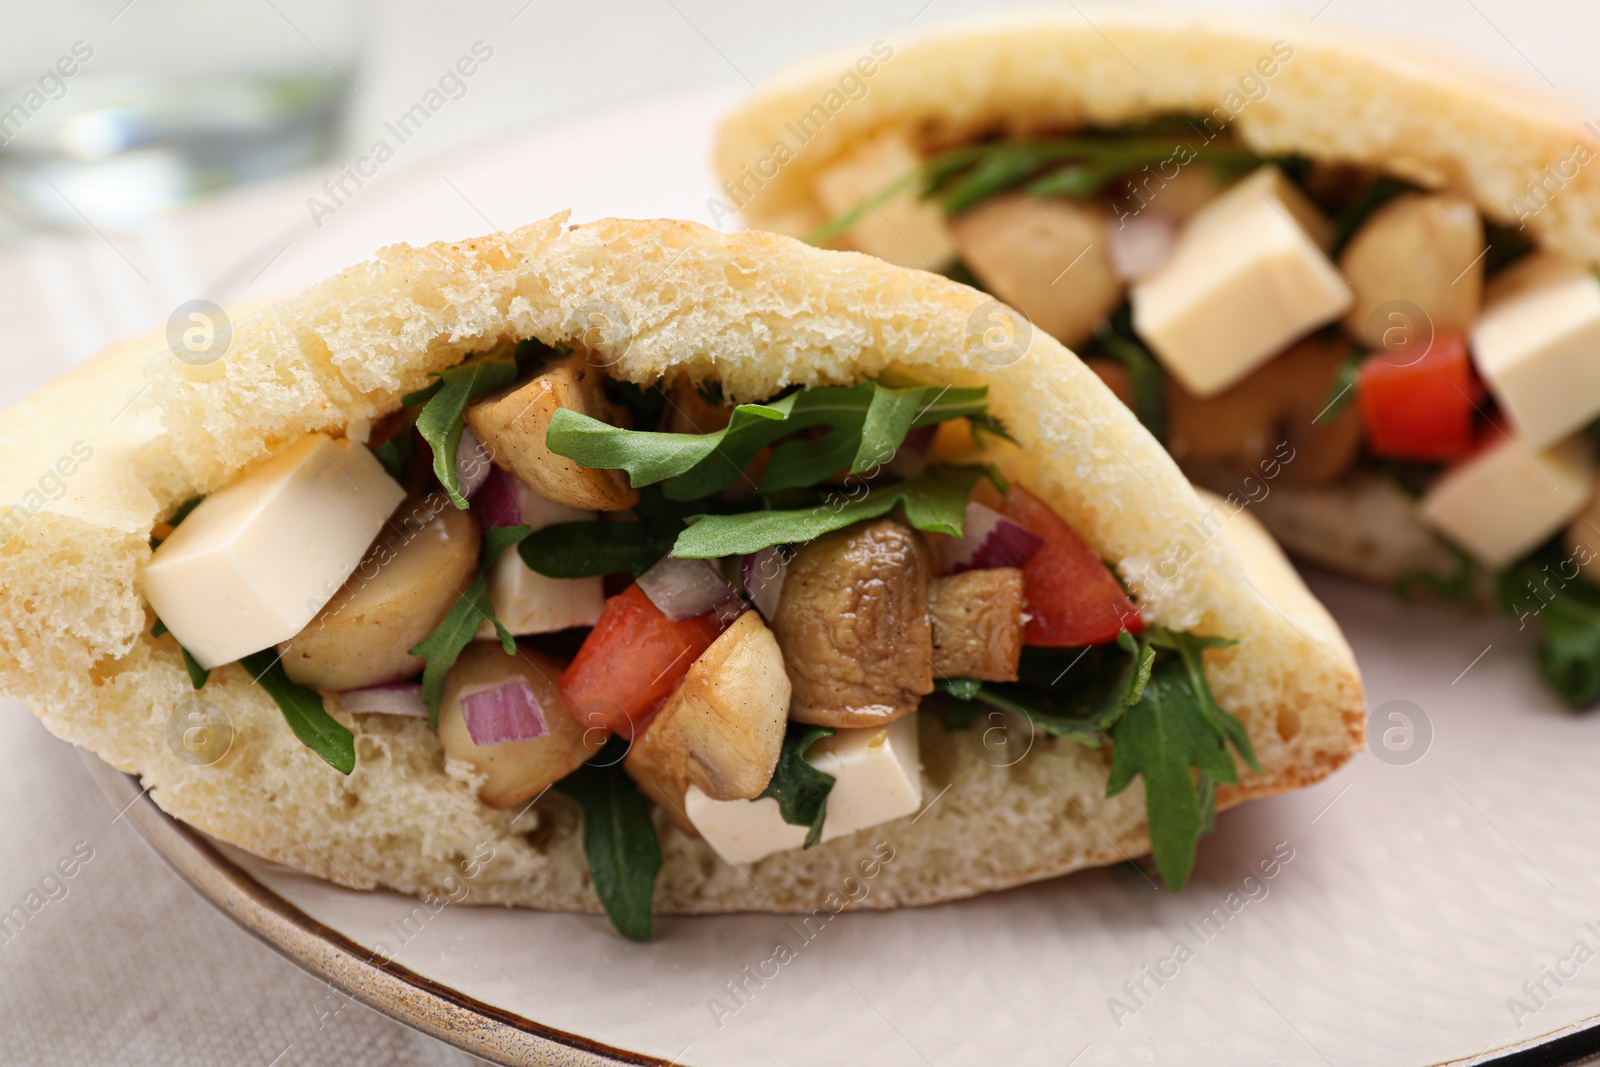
point(633, 661)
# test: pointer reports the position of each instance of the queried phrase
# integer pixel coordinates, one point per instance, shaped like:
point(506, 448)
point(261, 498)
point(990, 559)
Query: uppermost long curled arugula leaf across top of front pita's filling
point(698, 465)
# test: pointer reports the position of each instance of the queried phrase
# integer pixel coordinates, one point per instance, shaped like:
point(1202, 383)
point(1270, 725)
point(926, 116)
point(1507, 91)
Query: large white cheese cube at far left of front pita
point(255, 562)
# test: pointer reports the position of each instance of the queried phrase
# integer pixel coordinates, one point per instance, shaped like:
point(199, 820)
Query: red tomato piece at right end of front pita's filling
point(1073, 599)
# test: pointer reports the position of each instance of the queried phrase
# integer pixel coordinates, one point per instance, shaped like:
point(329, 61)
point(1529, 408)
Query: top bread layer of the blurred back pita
point(1340, 98)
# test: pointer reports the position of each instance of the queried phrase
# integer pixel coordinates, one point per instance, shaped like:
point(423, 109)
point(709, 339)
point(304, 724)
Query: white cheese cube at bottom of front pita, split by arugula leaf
point(878, 778)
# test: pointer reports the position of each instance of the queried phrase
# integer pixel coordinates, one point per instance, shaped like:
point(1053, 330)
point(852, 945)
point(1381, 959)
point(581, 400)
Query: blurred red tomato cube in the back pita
point(1422, 404)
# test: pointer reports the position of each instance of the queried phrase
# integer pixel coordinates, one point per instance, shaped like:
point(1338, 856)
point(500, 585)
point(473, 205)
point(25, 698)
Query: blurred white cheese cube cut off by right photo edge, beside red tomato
point(1540, 354)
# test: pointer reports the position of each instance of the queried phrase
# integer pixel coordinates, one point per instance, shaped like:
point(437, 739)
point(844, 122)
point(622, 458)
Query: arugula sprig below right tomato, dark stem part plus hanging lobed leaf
point(1150, 697)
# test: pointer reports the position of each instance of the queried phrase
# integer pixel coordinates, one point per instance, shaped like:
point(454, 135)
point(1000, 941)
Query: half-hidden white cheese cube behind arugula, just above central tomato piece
point(529, 602)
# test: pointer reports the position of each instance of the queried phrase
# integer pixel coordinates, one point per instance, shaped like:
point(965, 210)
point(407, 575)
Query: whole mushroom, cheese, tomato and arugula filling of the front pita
point(734, 612)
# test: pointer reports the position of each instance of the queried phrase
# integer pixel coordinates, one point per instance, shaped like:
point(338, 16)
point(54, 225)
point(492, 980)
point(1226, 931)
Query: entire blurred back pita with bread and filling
point(1318, 246)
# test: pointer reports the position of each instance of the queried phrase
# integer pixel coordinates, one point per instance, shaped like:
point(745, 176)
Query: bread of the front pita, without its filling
point(756, 313)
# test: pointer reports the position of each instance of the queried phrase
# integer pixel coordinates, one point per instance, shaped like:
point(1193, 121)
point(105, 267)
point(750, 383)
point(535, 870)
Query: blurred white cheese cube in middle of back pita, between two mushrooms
point(1246, 279)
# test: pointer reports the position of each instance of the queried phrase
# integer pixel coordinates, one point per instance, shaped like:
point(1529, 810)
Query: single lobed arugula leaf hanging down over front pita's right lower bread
point(1162, 738)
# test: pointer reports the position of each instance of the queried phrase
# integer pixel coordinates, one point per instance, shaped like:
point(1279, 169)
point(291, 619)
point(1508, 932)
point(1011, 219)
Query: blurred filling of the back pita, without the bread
point(1418, 385)
